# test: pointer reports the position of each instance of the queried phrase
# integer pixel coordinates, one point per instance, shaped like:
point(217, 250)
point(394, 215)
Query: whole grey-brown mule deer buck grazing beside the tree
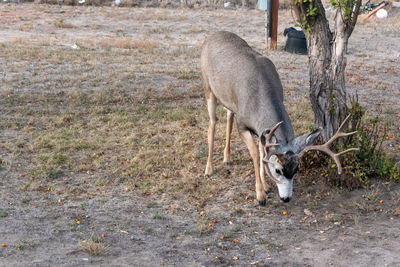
point(248, 86)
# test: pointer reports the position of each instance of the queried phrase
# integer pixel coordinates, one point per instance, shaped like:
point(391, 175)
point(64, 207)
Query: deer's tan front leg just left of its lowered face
point(248, 140)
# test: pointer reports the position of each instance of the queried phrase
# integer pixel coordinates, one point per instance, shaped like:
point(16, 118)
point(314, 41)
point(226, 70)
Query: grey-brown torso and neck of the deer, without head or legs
point(246, 83)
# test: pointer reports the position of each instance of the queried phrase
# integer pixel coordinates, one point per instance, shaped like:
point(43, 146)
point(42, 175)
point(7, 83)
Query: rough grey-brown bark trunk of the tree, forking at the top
point(327, 62)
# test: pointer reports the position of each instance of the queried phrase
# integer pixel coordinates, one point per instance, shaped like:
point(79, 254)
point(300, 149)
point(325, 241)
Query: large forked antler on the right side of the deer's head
point(325, 147)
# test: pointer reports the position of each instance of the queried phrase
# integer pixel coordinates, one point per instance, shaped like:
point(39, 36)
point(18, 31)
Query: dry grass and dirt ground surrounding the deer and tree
point(110, 139)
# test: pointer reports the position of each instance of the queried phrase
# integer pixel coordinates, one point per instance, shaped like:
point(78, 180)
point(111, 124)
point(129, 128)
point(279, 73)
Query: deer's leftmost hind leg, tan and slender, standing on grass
point(211, 106)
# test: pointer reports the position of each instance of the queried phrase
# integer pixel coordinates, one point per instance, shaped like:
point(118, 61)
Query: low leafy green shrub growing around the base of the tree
point(370, 161)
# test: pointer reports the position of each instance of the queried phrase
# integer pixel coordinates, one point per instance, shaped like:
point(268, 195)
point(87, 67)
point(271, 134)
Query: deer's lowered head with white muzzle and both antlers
point(282, 160)
